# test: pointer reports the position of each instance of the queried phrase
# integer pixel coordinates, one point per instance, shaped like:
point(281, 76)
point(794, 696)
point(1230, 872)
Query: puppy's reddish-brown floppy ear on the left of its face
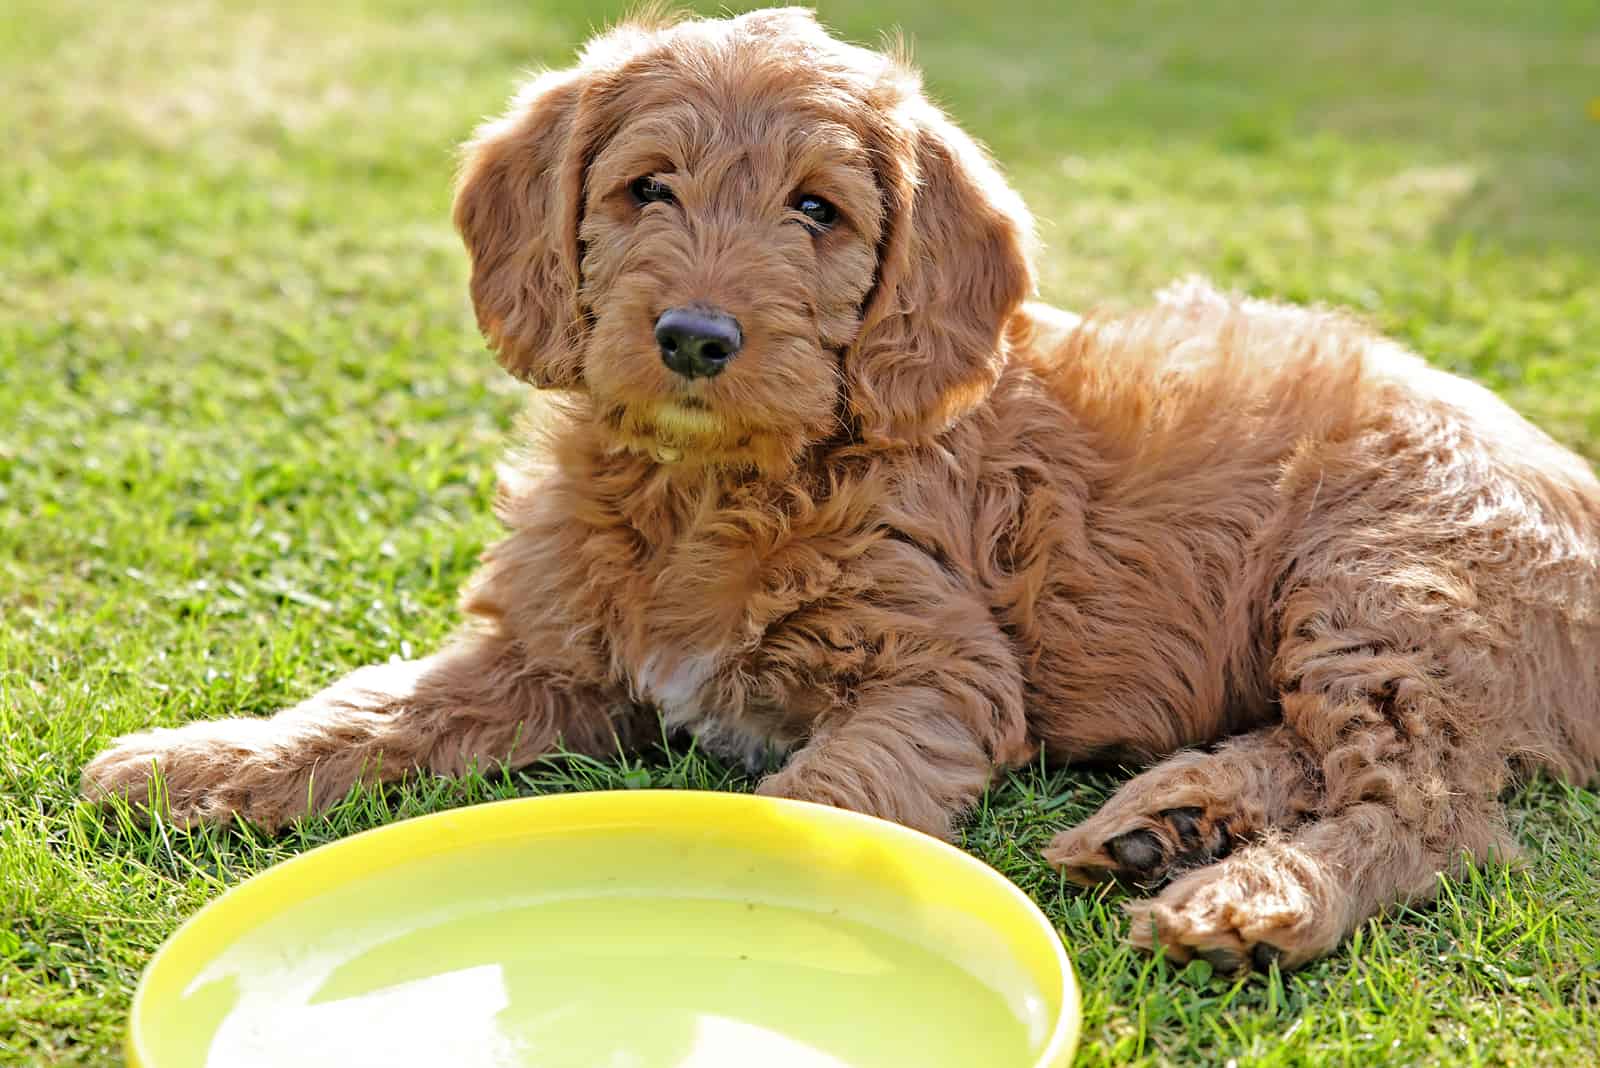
point(518, 204)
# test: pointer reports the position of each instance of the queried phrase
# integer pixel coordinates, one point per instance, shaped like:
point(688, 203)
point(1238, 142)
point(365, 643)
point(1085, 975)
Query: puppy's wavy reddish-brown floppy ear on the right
point(953, 269)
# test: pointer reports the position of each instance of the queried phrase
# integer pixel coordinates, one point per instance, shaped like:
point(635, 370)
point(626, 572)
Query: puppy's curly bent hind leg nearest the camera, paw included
point(1412, 767)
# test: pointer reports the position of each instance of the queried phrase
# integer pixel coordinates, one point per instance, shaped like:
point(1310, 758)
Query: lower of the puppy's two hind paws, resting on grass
point(1258, 909)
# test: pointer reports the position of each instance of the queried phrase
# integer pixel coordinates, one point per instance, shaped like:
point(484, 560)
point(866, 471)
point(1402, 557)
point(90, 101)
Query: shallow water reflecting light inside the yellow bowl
point(626, 979)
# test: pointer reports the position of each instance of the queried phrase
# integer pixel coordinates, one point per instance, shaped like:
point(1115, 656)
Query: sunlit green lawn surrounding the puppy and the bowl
point(247, 431)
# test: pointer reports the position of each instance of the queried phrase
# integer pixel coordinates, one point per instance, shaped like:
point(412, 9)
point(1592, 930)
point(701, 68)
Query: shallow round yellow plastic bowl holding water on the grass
point(617, 931)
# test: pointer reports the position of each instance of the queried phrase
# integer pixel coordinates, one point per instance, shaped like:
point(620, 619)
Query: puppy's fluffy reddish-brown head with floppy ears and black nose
point(742, 237)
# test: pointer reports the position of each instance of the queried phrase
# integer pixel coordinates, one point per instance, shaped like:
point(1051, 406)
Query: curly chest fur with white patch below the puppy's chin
point(711, 604)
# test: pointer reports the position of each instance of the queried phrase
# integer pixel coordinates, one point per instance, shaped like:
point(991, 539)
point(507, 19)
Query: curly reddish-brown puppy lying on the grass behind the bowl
point(825, 487)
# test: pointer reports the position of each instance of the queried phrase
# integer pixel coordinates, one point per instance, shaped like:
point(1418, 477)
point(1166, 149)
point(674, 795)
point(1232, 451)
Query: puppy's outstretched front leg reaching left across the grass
point(481, 701)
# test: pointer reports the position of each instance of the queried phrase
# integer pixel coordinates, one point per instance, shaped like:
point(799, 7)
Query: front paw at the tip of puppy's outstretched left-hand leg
point(191, 775)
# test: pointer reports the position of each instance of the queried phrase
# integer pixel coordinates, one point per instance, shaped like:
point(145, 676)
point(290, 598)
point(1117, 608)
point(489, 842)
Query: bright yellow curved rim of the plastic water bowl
point(655, 803)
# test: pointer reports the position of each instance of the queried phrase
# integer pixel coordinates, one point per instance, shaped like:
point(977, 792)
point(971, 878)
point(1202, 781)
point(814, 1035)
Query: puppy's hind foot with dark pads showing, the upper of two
point(1193, 810)
